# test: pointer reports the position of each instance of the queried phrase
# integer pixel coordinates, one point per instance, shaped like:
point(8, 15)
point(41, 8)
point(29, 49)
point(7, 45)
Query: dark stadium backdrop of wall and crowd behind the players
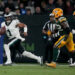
point(35, 21)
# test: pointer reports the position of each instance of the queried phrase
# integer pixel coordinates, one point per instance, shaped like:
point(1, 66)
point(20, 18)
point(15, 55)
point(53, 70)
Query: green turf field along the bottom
point(33, 69)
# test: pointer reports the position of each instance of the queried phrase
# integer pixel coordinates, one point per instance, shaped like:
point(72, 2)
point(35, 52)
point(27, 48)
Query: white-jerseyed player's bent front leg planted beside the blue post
point(8, 43)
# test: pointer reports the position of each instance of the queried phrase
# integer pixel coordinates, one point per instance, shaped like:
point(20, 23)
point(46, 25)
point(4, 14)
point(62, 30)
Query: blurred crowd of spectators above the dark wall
point(31, 7)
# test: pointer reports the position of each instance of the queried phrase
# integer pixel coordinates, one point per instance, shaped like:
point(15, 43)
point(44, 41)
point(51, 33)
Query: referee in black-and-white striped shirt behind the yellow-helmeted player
point(51, 37)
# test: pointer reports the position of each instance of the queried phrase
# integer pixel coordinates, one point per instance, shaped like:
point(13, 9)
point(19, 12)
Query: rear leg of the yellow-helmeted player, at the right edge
point(71, 48)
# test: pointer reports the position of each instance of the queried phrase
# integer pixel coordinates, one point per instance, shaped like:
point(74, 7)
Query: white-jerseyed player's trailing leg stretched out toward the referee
point(28, 54)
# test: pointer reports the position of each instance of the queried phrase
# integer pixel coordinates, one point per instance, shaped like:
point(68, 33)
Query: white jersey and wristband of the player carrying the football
point(12, 29)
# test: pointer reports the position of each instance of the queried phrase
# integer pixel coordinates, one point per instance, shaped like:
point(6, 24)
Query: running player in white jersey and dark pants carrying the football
point(13, 38)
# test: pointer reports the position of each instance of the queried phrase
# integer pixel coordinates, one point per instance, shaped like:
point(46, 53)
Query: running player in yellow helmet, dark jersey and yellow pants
point(66, 37)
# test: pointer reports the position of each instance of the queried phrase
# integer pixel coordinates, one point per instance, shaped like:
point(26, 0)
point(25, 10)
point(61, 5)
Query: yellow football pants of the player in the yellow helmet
point(68, 42)
